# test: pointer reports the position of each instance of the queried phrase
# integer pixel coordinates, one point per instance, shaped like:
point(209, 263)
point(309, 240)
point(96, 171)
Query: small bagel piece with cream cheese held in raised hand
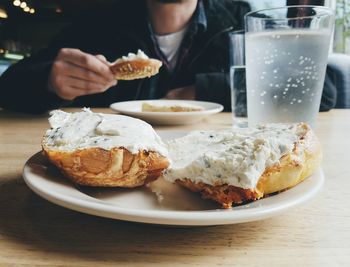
point(135, 66)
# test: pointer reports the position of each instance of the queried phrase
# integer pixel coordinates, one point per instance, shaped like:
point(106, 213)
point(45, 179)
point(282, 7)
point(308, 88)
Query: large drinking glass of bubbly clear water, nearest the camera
point(286, 57)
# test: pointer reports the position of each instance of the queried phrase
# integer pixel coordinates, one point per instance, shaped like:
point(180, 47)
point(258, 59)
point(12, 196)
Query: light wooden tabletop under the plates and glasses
point(34, 232)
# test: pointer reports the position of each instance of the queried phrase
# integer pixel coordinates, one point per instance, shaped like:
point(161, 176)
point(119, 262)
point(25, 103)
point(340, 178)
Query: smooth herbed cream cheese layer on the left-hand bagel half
point(85, 129)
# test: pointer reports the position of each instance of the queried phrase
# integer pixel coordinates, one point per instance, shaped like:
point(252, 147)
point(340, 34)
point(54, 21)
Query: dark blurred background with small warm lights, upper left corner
point(27, 26)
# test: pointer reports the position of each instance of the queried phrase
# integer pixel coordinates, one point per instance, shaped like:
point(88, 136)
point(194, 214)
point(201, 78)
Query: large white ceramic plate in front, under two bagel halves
point(178, 206)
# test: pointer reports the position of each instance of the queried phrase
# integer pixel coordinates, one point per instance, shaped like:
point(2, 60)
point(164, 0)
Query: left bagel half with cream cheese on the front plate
point(106, 150)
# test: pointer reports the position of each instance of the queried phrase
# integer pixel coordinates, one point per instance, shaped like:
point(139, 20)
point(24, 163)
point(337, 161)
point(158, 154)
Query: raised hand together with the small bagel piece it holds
point(75, 73)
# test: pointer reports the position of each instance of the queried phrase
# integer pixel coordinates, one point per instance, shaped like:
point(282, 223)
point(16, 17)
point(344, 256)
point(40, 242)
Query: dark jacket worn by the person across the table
point(124, 28)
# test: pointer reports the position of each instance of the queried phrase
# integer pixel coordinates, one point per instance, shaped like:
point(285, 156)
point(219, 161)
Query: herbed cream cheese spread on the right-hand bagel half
point(234, 157)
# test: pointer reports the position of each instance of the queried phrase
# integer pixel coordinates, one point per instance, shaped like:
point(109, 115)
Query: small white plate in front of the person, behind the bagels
point(133, 108)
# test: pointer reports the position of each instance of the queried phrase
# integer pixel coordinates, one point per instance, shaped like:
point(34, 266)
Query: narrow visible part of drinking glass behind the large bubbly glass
point(237, 78)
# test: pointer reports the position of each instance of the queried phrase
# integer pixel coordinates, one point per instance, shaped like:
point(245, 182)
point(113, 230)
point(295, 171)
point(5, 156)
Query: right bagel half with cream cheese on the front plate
point(233, 167)
